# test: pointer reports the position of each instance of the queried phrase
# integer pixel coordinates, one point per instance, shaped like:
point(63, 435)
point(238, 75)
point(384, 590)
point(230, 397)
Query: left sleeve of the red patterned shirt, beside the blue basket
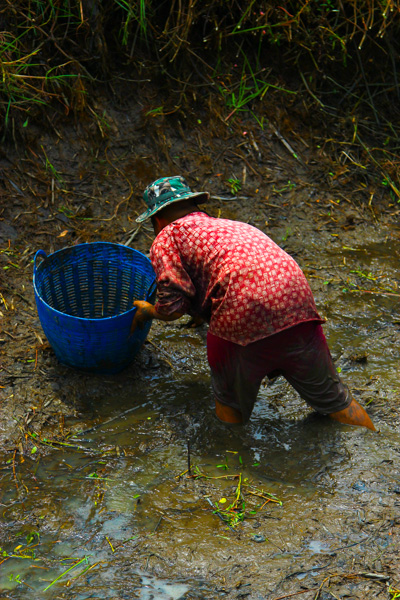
point(175, 289)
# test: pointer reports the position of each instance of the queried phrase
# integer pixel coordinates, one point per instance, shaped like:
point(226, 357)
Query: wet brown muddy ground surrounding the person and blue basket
point(111, 486)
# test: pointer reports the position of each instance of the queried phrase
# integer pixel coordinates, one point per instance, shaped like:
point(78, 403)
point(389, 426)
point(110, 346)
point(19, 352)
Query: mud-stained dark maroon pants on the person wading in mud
point(300, 354)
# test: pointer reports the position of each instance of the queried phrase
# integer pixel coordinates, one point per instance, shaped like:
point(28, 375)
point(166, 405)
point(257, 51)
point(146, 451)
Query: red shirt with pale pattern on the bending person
point(231, 274)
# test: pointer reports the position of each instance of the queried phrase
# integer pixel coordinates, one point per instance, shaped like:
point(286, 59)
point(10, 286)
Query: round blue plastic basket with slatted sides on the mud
point(84, 296)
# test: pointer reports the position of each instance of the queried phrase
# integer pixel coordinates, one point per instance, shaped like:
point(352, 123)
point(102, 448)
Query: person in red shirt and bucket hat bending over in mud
point(259, 306)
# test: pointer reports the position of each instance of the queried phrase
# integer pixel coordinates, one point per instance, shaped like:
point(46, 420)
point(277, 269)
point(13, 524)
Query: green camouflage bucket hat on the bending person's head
point(165, 191)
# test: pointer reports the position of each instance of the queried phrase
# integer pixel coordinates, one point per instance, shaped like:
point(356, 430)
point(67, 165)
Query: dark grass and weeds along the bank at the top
point(338, 59)
